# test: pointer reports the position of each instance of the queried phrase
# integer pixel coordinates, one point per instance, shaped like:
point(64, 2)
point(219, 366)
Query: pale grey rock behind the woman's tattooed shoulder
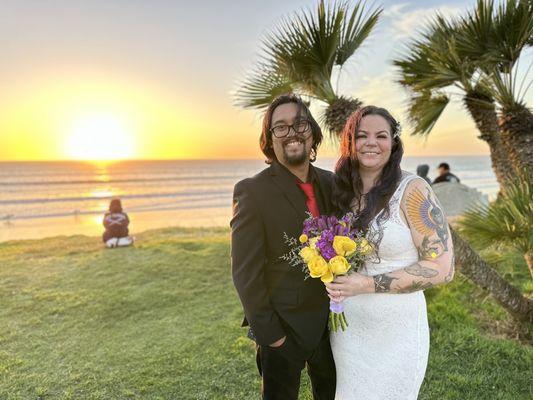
point(457, 198)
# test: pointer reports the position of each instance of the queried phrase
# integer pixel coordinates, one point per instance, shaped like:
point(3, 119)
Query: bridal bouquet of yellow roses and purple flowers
point(329, 247)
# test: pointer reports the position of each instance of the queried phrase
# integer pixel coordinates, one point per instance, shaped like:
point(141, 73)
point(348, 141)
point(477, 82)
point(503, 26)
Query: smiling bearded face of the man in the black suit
point(295, 148)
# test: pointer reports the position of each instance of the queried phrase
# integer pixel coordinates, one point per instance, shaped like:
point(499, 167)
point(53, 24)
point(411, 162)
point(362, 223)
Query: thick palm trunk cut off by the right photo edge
point(516, 126)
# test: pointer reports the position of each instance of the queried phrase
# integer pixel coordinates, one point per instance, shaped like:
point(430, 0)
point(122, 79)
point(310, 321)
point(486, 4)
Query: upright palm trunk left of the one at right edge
point(483, 111)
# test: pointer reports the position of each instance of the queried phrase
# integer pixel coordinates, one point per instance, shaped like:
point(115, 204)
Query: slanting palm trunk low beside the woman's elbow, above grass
point(471, 265)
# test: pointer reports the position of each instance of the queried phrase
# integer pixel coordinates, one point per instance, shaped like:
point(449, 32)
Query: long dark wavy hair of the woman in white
point(347, 184)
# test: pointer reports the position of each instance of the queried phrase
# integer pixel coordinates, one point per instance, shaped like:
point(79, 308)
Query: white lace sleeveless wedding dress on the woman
point(384, 351)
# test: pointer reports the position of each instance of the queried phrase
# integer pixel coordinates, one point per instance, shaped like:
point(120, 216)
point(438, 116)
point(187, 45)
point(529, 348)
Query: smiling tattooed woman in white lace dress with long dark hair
point(384, 351)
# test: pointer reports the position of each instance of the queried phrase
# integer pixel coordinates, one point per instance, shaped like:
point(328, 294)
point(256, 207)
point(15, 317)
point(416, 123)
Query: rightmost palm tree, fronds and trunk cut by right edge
point(495, 40)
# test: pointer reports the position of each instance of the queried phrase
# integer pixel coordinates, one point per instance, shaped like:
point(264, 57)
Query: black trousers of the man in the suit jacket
point(281, 369)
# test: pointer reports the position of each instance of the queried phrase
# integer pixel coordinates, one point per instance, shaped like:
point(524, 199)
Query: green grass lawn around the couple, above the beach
point(161, 321)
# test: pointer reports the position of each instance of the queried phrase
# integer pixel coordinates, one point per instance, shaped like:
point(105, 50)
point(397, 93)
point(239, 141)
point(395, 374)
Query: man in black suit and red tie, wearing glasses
point(287, 315)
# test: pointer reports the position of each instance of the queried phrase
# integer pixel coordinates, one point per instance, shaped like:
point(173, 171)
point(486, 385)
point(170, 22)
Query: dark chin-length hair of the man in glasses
point(265, 141)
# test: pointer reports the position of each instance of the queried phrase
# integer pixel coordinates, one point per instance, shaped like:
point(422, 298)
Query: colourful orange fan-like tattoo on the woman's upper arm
point(426, 216)
